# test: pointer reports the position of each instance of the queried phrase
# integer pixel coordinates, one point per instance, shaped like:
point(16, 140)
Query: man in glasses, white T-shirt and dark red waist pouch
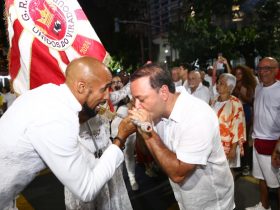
point(266, 130)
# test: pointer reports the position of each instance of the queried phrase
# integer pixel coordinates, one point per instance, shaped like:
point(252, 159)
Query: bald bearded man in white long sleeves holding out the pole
point(41, 130)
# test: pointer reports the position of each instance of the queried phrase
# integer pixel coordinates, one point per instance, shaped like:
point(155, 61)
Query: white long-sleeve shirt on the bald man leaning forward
point(41, 128)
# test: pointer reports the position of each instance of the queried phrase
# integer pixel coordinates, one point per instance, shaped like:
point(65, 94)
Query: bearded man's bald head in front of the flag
point(88, 79)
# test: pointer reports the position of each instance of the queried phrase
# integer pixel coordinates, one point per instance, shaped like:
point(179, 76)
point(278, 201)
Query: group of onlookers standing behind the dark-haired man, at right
point(247, 106)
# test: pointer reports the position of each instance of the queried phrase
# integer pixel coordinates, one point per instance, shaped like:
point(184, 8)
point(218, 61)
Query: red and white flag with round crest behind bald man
point(44, 36)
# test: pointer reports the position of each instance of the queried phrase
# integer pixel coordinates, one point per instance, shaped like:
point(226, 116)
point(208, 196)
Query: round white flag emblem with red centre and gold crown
point(51, 22)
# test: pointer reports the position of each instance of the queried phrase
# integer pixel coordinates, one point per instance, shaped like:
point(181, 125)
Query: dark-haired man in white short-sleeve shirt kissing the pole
point(193, 160)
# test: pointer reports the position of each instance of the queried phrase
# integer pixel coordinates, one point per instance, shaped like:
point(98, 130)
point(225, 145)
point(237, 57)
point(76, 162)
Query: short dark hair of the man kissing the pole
point(157, 75)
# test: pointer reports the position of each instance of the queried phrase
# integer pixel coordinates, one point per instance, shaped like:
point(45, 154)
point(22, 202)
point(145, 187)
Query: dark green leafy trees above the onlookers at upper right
point(211, 30)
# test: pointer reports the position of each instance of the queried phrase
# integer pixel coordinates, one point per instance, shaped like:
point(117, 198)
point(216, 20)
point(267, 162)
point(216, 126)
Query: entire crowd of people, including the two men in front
point(202, 125)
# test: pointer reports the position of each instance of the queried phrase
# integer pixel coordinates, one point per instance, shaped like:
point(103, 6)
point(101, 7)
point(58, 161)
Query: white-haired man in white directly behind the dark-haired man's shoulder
point(196, 88)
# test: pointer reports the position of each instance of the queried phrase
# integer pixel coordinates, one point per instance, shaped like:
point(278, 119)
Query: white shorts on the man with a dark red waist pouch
point(262, 169)
